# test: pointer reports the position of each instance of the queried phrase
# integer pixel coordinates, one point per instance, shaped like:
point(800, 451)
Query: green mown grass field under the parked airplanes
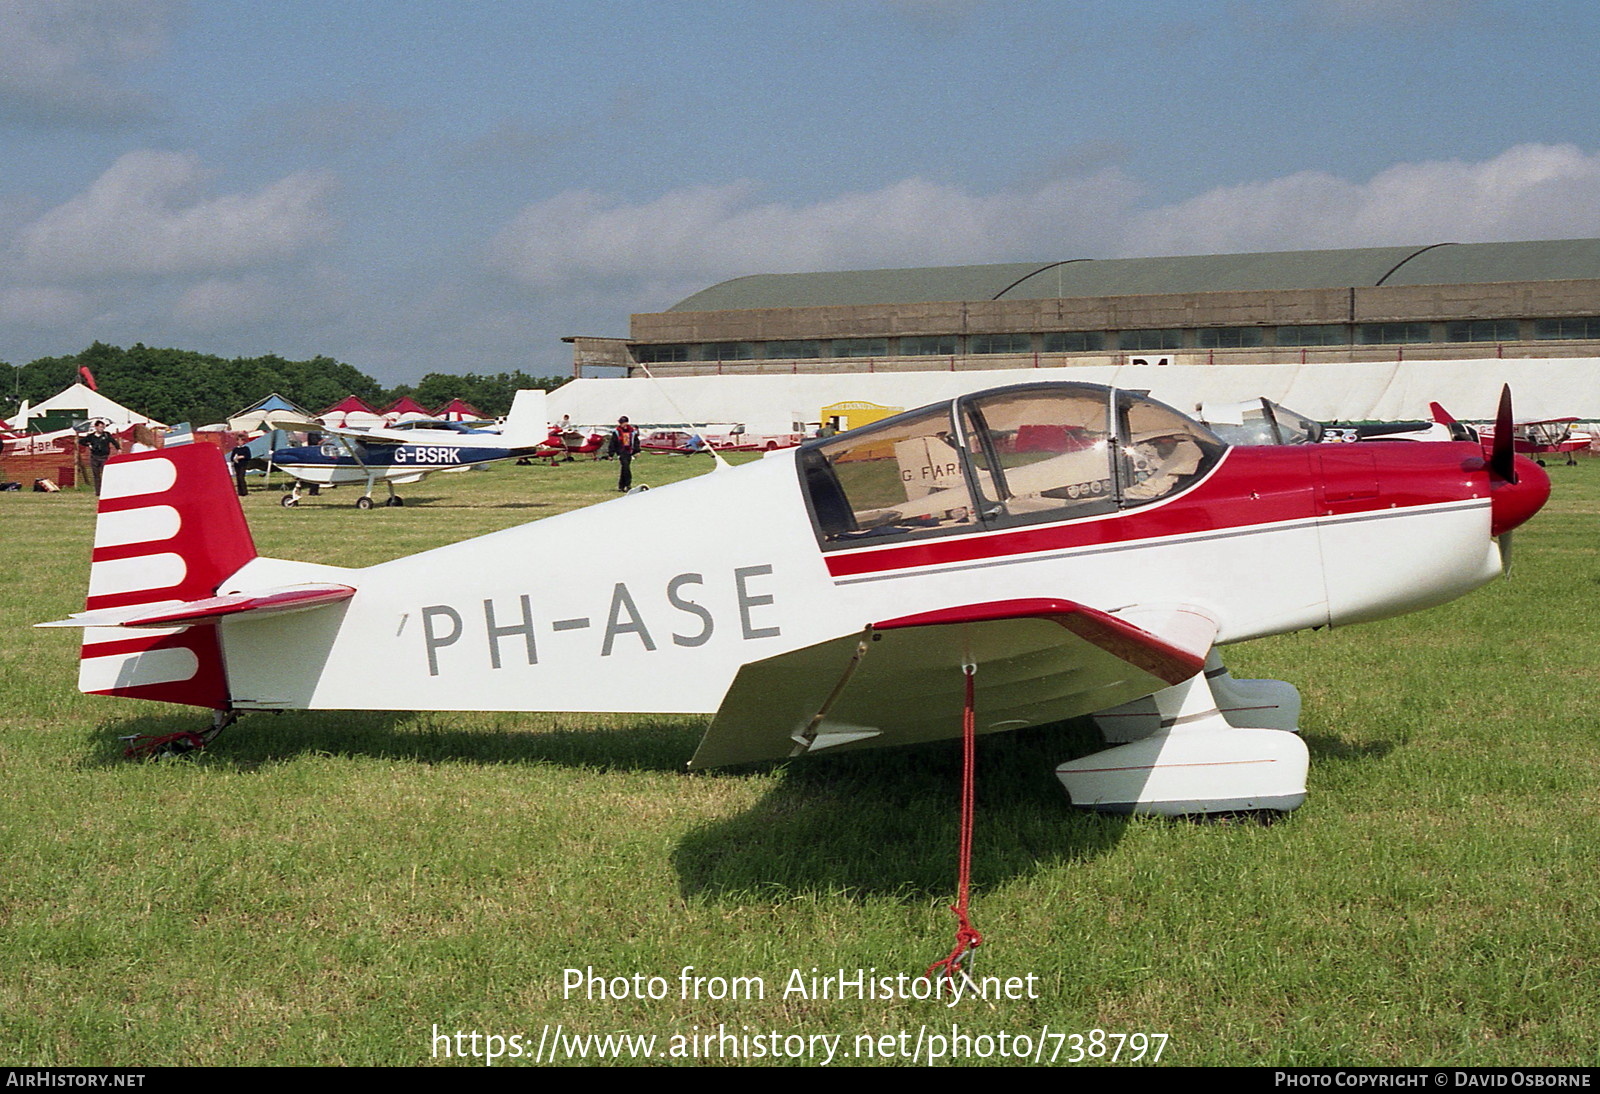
point(335, 888)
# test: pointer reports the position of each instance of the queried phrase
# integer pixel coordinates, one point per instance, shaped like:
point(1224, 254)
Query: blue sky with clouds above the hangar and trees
point(454, 186)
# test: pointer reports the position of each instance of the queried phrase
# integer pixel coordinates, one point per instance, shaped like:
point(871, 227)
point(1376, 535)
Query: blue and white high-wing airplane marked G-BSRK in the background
point(412, 452)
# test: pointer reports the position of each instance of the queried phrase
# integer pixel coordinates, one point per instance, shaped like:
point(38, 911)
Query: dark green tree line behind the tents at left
point(185, 386)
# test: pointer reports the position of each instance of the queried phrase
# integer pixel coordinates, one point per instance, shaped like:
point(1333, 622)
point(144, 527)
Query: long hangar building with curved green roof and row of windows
point(1441, 301)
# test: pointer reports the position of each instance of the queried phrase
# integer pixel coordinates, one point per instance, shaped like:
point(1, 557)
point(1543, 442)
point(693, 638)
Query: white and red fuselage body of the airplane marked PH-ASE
point(1274, 540)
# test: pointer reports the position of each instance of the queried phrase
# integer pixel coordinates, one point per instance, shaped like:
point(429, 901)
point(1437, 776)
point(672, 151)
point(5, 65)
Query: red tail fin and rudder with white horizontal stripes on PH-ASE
point(170, 530)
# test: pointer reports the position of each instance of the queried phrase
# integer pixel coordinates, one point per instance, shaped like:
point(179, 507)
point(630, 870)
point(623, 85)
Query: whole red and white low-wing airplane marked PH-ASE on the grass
point(1076, 549)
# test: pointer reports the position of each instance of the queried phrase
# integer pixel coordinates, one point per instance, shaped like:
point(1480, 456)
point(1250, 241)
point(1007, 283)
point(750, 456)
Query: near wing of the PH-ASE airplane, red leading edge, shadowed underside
point(900, 682)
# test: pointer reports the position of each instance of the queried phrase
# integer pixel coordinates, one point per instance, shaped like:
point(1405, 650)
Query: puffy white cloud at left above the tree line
point(148, 215)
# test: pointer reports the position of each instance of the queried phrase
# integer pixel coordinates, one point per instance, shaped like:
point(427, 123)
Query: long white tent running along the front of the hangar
point(1366, 391)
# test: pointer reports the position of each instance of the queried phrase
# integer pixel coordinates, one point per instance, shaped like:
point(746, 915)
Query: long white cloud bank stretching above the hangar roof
point(655, 252)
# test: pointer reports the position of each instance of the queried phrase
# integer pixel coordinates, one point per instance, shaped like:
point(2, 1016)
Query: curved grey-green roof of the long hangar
point(1359, 268)
